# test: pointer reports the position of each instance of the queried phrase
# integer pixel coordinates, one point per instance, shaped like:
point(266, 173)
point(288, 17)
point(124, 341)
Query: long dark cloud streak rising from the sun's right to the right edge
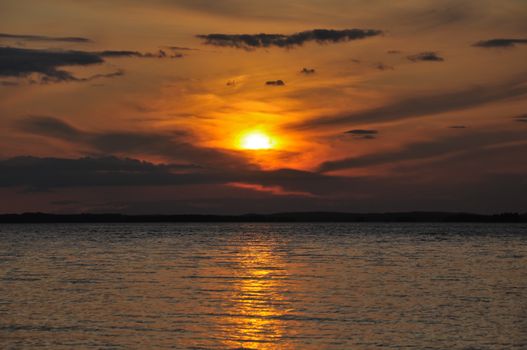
point(426, 105)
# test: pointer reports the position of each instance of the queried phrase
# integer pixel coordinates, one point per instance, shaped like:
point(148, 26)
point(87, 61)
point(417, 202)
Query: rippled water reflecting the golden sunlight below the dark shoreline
point(263, 286)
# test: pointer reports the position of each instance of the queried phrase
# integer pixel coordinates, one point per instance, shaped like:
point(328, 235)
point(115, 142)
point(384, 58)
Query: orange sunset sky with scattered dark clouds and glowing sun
point(245, 106)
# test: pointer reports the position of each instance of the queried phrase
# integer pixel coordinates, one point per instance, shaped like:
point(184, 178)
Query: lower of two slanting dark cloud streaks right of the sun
point(457, 144)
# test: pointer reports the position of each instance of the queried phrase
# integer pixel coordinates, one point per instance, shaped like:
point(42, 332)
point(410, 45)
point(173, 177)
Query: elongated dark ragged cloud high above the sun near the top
point(321, 36)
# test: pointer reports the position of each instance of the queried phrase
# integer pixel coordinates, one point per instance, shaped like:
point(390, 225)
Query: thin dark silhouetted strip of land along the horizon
point(278, 217)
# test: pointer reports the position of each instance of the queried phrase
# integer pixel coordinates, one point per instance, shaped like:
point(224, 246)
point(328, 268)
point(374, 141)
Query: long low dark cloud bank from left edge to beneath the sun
point(39, 174)
